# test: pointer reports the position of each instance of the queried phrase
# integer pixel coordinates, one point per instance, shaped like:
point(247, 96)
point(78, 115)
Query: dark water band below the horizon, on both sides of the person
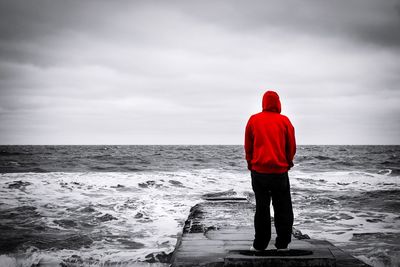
point(171, 158)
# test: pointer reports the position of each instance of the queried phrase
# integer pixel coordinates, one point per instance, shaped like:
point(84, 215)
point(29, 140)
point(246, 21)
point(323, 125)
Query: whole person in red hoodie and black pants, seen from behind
point(270, 147)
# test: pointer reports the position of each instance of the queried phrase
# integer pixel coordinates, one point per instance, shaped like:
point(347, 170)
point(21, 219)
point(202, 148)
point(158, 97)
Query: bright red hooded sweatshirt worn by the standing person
point(269, 140)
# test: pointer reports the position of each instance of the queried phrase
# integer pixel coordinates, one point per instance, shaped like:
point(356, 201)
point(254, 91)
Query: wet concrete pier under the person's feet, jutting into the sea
point(210, 239)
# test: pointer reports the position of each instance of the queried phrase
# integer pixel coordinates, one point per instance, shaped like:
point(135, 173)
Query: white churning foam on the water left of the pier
point(163, 205)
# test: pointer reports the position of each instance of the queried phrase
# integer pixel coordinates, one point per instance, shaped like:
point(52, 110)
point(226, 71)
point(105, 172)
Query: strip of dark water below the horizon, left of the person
point(117, 158)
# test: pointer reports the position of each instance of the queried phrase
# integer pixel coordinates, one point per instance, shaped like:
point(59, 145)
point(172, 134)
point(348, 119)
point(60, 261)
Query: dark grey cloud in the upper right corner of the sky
point(371, 21)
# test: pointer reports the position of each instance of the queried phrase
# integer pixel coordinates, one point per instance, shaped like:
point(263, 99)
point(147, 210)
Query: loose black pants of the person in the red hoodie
point(277, 187)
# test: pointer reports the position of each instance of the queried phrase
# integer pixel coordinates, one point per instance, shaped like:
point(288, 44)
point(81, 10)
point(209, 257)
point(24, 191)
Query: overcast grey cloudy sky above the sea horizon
point(192, 72)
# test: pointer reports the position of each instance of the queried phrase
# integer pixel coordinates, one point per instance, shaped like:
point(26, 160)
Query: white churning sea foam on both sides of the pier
point(165, 206)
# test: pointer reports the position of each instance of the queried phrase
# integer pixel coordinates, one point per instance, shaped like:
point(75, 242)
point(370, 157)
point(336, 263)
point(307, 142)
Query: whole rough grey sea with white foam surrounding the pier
point(126, 205)
